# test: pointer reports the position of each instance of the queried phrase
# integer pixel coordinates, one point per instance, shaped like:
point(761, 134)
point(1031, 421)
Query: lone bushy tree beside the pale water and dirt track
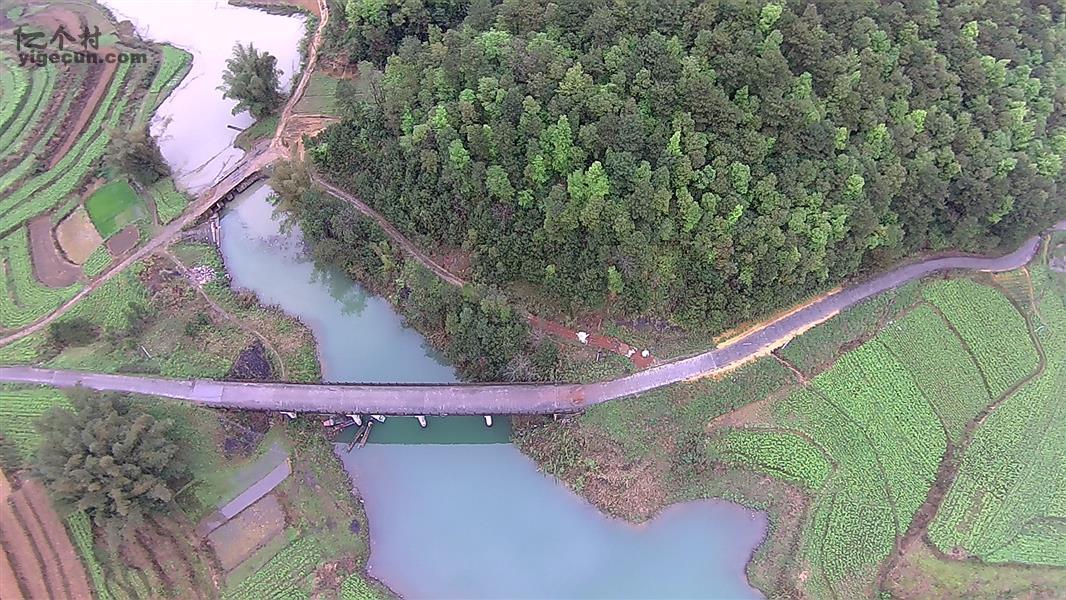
point(252, 79)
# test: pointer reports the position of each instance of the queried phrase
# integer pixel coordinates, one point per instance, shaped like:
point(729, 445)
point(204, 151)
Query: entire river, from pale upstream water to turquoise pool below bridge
point(455, 511)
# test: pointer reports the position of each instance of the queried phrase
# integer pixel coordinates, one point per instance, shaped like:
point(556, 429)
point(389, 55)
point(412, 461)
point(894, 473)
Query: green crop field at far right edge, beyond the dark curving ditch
point(1009, 502)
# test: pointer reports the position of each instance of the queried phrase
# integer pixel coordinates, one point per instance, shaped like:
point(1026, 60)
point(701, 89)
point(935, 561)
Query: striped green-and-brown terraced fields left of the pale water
point(56, 127)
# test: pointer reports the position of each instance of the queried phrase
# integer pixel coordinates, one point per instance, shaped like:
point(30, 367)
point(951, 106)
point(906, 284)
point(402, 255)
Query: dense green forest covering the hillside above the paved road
point(704, 160)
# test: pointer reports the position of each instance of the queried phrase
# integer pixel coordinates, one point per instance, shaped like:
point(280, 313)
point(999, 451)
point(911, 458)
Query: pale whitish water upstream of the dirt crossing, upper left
point(192, 123)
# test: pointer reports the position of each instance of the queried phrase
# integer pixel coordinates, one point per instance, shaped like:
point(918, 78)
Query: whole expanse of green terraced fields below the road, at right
point(870, 435)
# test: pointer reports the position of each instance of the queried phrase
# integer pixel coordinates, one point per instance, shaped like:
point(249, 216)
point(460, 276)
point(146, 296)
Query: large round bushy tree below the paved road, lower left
point(109, 459)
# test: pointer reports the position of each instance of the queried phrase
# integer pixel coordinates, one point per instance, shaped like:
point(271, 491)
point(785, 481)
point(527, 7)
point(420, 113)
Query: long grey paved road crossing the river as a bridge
point(510, 399)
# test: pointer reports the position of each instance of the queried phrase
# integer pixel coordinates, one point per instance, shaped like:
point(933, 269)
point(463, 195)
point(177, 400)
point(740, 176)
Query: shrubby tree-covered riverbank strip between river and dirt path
point(474, 327)
